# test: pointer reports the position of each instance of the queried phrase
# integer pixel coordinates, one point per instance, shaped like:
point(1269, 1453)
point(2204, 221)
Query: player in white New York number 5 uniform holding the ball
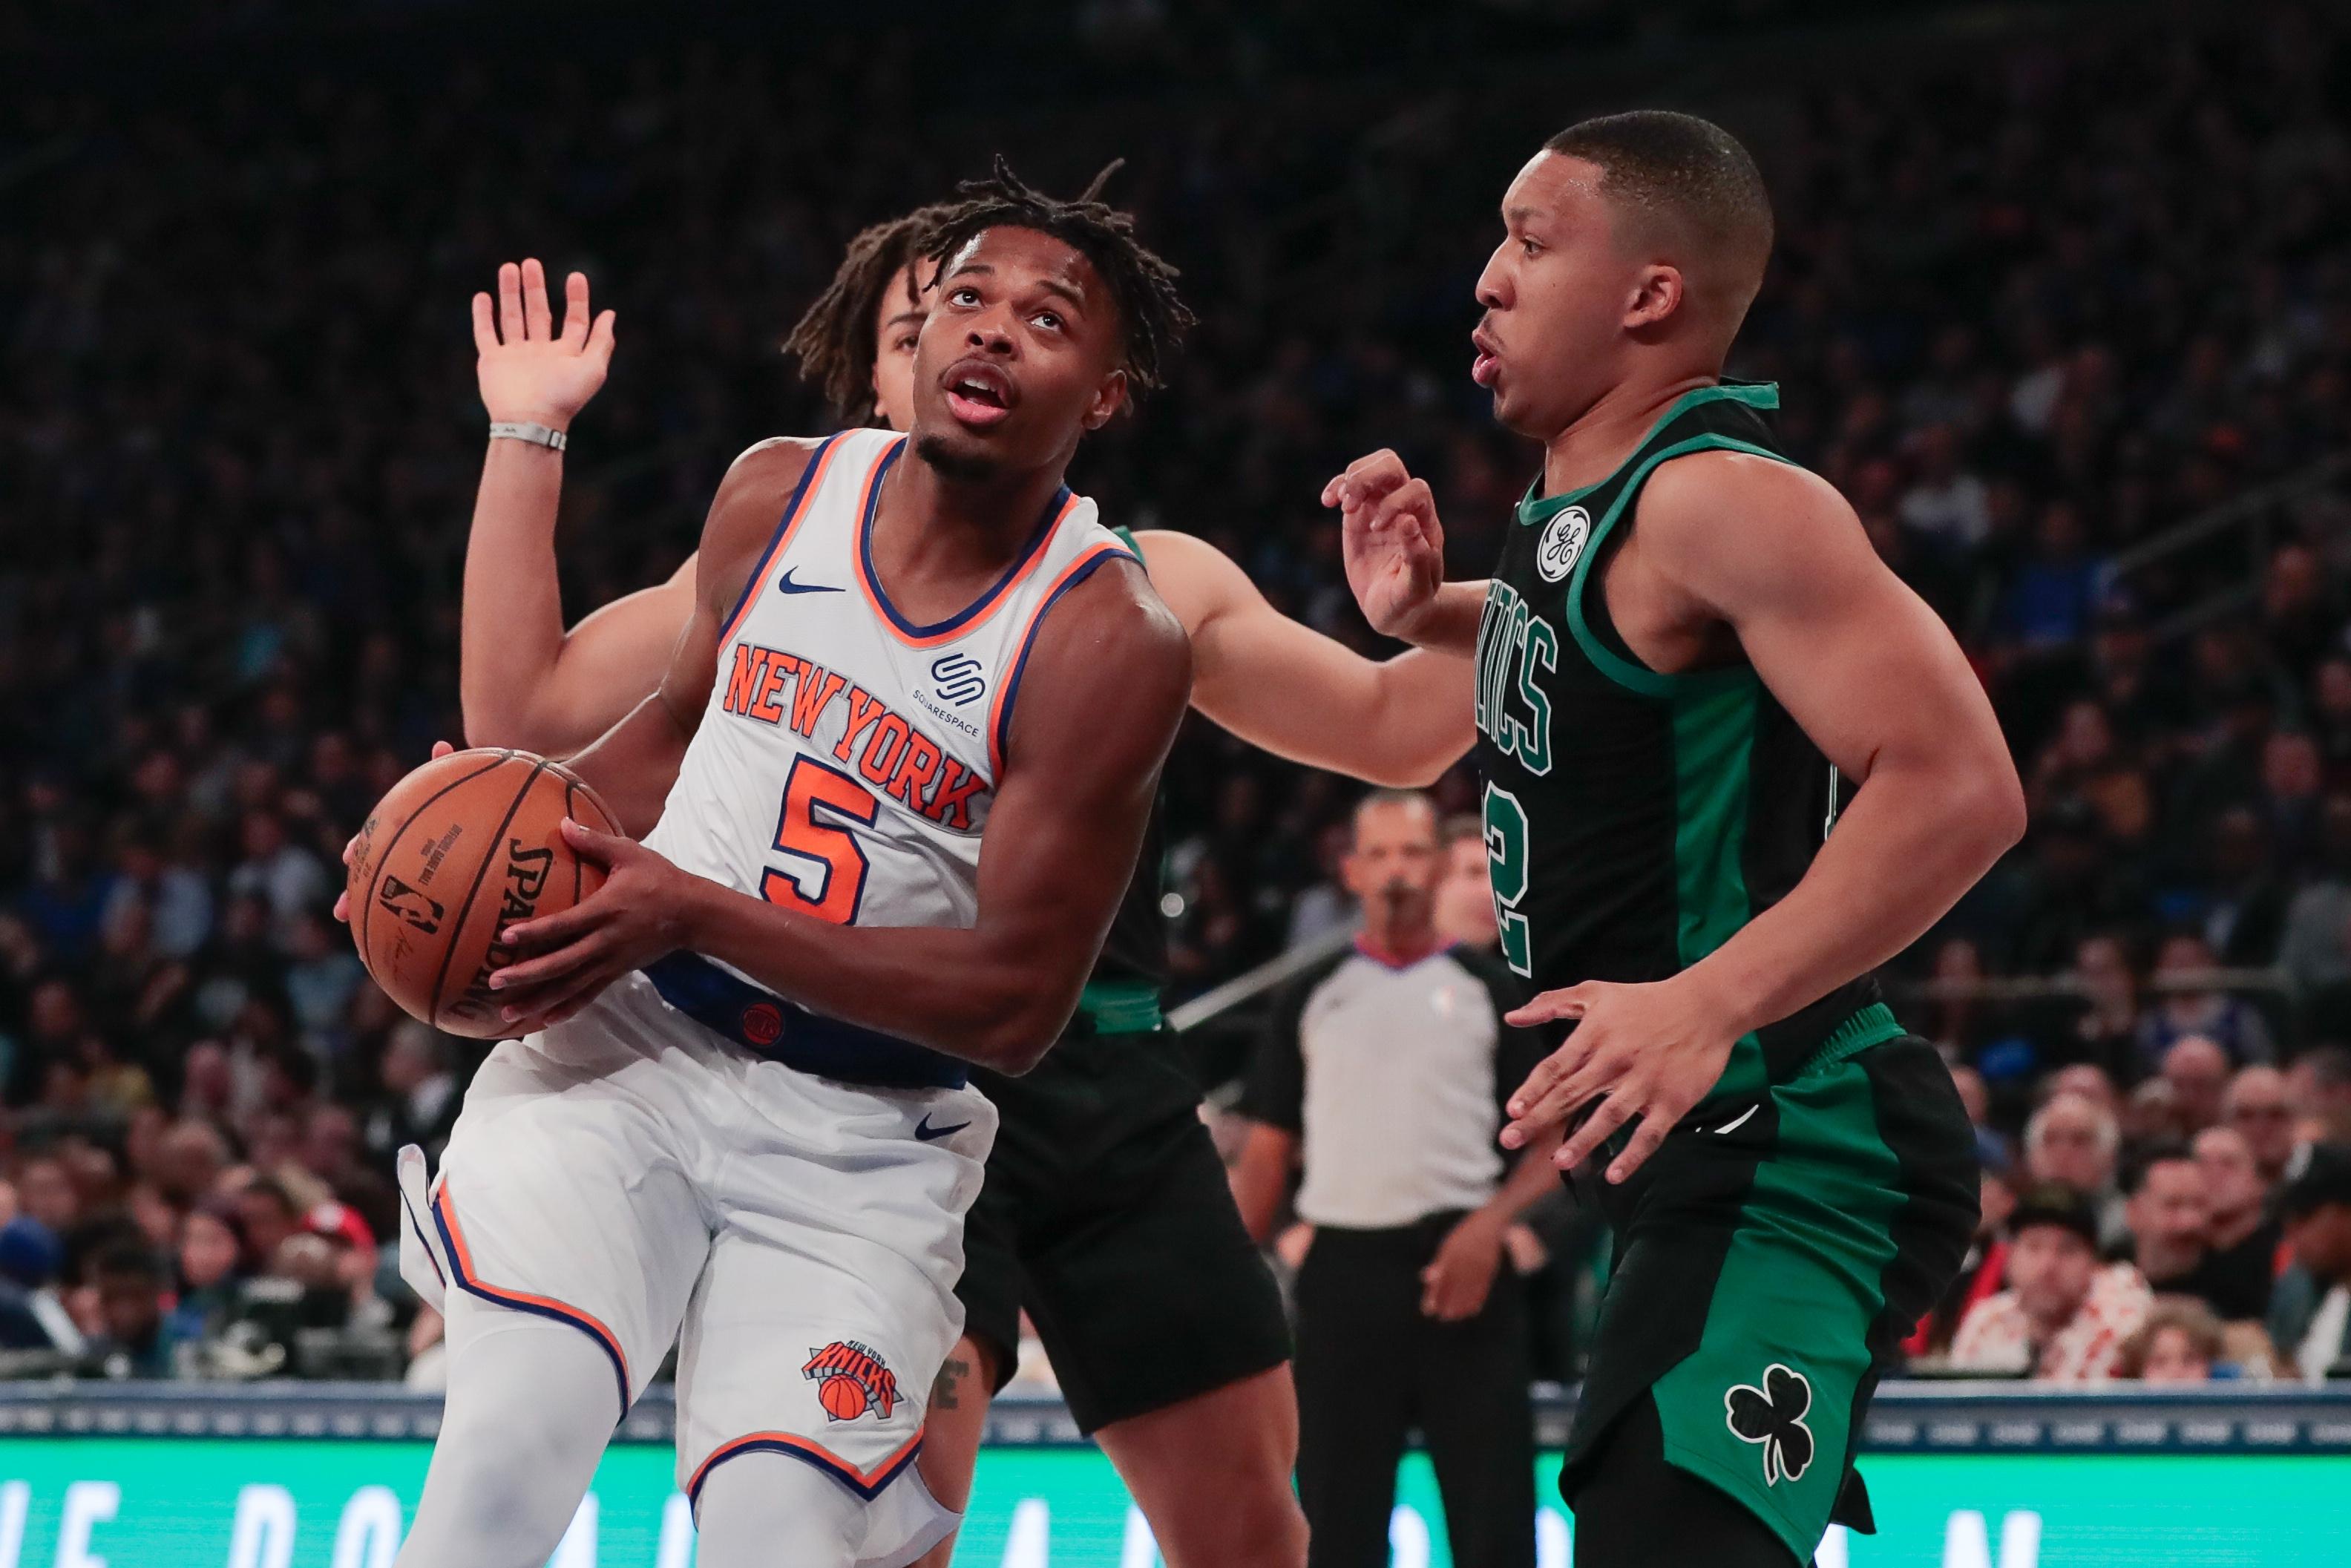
point(744, 1113)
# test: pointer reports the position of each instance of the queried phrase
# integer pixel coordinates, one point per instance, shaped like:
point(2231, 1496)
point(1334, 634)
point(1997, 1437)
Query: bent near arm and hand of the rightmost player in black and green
point(1880, 685)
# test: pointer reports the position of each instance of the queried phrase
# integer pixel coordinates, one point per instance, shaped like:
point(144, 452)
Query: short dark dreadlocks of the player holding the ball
point(1141, 283)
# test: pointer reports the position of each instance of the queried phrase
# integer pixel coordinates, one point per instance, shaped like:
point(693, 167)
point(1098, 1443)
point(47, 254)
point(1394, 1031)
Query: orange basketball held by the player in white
point(450, 857)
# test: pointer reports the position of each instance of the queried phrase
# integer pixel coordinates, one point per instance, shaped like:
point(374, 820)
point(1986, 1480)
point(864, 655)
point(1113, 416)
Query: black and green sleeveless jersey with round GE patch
point(1635, 822)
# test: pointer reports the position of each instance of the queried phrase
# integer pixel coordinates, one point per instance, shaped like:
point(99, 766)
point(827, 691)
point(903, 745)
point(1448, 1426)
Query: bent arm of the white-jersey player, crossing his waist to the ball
point(1099, 706)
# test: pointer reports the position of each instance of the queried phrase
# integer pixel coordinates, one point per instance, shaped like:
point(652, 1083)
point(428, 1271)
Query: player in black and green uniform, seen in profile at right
point(1684, 650)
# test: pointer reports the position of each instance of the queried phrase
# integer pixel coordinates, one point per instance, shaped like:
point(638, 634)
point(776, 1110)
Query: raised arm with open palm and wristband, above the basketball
point(525, 681)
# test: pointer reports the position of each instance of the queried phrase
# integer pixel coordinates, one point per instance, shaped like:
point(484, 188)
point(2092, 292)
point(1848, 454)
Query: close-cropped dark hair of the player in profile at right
point(1684, 170)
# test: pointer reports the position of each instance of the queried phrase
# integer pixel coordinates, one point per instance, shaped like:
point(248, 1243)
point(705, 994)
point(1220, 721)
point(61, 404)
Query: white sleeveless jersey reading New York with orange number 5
point(848, 758)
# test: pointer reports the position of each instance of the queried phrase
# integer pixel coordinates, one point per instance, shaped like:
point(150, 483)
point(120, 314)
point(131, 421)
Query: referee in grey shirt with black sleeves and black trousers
point(1384, 1076)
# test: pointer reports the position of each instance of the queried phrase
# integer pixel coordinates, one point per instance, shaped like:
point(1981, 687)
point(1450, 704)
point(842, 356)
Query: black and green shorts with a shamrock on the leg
point(1769, 1259)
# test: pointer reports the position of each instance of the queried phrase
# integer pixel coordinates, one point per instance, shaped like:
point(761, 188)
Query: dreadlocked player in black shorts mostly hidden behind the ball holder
point(1106, 1212)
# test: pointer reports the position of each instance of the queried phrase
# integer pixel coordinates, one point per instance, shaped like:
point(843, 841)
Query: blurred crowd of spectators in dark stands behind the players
point(2032, 309)
